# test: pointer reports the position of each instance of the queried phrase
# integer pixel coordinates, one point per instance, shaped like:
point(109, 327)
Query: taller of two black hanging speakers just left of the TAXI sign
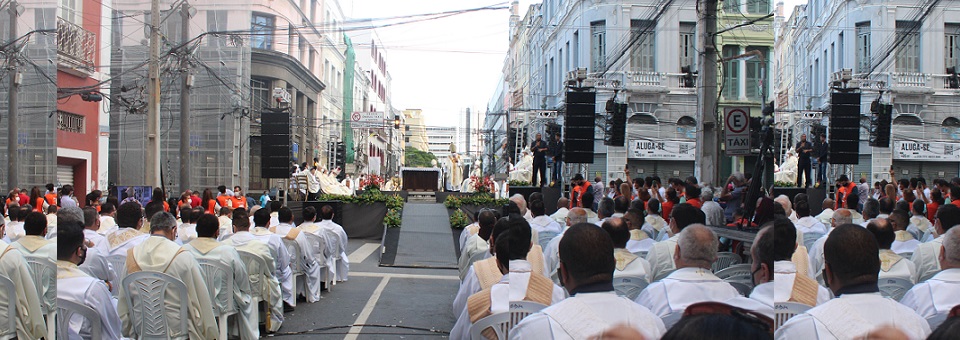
point(578, 126)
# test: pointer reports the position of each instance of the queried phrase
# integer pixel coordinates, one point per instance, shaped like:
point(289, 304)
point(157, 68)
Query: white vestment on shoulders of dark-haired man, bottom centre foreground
point(588, 314)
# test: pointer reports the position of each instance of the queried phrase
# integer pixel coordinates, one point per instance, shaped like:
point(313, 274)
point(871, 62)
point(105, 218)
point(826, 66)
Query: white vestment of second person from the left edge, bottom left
point(76, 286)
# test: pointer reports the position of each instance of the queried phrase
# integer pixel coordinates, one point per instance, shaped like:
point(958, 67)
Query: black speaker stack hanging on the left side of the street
point(275, 143)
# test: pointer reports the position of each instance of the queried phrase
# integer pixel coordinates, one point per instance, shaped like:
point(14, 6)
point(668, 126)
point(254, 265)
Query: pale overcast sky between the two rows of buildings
point(441, 66)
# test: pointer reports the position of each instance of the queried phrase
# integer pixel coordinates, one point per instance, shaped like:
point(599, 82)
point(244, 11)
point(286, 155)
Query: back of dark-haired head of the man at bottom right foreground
point(850, 254)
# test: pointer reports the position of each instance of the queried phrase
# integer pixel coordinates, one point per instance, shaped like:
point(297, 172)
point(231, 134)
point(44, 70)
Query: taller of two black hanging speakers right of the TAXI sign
point(844, 128)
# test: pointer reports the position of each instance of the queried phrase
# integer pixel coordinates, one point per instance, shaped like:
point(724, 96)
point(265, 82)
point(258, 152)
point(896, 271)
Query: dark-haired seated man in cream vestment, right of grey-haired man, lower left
point(206, 247)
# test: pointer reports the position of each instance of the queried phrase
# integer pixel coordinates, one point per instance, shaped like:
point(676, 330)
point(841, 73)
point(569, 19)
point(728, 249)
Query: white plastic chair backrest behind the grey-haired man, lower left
point(151, 318)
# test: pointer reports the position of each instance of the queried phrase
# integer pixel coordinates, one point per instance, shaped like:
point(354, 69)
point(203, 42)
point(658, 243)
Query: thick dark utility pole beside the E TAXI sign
point(708, 148)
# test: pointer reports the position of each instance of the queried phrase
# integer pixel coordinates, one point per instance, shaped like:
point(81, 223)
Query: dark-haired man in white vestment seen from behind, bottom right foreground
point(851, 272)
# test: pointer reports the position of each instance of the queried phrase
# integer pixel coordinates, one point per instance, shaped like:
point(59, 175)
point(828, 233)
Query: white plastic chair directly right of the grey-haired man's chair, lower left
point(219, 279)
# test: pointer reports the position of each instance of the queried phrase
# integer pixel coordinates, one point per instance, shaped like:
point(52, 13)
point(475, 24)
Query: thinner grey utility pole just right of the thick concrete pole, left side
point(185, 99)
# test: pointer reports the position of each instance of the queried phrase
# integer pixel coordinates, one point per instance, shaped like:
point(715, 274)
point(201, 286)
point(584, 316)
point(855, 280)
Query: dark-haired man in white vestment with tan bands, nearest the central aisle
point(512, 247)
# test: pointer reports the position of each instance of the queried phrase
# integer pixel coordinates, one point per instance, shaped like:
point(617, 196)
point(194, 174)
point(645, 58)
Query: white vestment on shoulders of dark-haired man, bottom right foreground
point(851, 316)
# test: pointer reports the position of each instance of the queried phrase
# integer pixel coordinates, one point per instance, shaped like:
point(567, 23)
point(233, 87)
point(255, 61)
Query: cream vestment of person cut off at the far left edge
point(29, 318)
